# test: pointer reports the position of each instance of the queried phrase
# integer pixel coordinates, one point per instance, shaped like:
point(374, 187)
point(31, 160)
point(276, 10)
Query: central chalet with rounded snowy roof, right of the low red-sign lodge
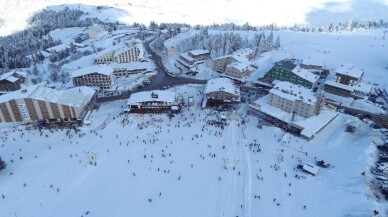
point(221, 91)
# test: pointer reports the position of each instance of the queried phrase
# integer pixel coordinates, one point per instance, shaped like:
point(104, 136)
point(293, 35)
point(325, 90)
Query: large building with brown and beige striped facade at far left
point(38, 103)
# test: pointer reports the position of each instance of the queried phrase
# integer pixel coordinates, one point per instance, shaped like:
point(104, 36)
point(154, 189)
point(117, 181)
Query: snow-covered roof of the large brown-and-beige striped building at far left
point(74, 97)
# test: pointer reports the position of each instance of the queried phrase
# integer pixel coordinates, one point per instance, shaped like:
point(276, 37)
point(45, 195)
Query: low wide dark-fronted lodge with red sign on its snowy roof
point(156, 101)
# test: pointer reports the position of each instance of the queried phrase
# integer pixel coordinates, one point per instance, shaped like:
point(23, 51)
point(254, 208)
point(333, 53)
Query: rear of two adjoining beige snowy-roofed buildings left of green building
point(243, 55)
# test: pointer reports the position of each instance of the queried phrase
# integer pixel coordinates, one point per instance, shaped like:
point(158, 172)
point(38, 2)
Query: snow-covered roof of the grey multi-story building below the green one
point(294, 92)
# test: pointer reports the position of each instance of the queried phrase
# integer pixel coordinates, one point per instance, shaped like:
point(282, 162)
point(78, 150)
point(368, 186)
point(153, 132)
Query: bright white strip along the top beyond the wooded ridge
point(316, 12)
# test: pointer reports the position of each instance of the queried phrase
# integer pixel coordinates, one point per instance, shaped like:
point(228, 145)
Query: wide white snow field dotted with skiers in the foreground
point(148, 165)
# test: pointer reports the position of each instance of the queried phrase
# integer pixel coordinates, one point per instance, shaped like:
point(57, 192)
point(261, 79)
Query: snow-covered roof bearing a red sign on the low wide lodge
point(155, 95)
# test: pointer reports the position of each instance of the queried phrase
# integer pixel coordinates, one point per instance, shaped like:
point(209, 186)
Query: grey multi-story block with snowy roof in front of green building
point(296, 99)
